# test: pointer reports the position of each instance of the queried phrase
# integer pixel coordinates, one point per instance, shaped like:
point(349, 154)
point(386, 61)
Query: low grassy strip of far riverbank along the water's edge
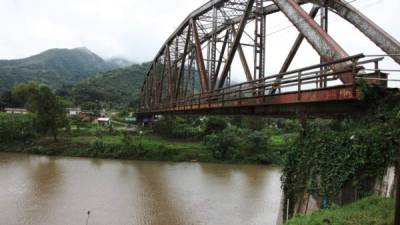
point(149, 147)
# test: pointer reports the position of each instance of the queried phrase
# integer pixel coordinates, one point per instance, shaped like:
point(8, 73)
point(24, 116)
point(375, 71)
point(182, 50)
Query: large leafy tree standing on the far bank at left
point(48, 109)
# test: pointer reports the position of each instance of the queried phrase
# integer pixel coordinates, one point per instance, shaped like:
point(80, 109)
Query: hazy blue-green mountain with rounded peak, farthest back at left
point(55, 67)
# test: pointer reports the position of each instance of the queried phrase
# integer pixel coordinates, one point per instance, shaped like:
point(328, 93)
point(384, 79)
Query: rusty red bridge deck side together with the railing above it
point(304, 91)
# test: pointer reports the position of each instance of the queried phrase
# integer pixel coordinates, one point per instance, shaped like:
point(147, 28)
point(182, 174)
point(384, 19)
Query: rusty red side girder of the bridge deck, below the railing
point(330, 101)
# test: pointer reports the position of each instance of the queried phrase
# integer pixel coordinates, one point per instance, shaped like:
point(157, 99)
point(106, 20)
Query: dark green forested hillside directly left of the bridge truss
point(120, 87)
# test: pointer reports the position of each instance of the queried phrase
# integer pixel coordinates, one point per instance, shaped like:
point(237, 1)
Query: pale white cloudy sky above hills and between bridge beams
point(135, 29)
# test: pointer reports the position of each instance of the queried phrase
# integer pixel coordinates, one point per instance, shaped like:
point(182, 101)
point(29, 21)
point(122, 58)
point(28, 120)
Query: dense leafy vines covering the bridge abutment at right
point(352, 152)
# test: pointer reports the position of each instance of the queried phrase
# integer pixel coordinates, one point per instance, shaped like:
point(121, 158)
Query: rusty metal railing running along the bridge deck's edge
point(318, 76)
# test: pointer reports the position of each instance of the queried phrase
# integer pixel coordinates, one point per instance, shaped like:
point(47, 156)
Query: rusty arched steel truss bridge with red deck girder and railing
point(192, 71)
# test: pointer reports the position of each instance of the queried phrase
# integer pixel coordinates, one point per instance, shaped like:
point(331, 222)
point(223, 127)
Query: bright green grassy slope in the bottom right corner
point(369, 211)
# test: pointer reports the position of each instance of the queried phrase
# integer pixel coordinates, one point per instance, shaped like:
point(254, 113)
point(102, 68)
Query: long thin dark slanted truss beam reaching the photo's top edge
point(235, 43)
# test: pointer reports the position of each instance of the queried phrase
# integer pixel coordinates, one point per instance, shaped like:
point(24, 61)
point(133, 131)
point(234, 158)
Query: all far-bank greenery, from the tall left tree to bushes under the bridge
point(174, 138)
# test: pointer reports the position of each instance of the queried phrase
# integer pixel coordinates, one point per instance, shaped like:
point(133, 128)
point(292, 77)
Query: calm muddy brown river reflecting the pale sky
point(39, 190)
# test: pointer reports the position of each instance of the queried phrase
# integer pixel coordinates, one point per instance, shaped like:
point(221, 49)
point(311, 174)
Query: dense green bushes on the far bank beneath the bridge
point(232, 139)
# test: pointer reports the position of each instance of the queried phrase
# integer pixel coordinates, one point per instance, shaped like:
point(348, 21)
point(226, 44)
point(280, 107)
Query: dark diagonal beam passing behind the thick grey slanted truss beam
point(293, 51)
